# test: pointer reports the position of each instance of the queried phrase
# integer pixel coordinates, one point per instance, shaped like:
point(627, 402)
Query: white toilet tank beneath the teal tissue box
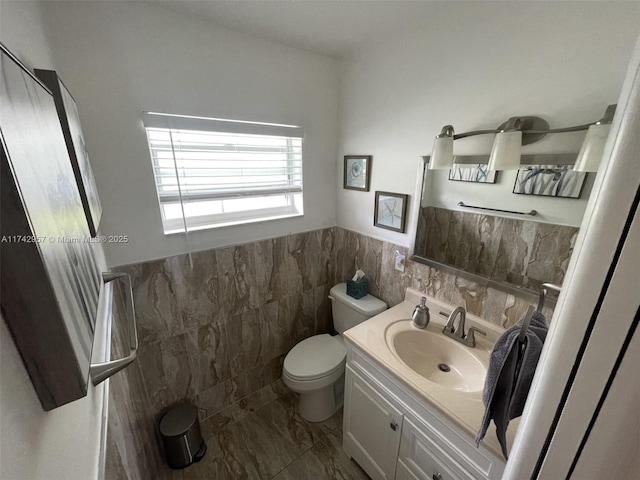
point(349, 312)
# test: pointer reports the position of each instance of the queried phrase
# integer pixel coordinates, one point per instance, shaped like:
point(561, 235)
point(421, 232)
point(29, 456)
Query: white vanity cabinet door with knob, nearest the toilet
point(372, 428)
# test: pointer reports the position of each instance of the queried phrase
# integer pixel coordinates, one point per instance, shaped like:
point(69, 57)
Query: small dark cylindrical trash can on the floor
point(181, 436)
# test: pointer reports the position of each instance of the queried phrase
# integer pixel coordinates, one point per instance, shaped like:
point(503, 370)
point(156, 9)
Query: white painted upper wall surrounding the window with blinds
point(121, 58)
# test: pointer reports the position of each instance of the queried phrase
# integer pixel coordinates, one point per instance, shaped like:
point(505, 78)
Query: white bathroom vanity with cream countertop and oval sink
point(406, 420)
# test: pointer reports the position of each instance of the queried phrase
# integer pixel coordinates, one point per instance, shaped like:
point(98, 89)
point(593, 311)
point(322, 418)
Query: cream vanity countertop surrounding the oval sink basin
point(464, 409)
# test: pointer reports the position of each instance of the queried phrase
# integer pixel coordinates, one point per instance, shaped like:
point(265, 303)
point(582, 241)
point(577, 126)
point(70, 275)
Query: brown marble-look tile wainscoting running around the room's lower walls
point(217, 333)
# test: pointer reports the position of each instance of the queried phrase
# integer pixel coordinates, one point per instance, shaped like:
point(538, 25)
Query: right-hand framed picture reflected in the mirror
point(549, 181)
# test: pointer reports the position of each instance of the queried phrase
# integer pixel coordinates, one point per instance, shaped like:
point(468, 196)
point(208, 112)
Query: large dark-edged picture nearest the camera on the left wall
point(50, 281)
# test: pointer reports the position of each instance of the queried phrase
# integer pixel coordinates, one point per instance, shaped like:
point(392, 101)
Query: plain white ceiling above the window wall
point(327, 27)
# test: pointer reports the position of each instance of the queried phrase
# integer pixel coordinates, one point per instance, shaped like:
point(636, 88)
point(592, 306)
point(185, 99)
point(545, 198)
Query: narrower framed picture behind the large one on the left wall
point(73, 137)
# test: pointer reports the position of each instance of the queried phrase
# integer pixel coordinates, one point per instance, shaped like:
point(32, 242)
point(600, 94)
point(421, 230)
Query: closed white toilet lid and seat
point(315, 358)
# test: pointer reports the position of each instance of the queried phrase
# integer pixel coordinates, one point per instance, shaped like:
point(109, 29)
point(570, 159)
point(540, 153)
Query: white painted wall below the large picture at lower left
point(62, 444)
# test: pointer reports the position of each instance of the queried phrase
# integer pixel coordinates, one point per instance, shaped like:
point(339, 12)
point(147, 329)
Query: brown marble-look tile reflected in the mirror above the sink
point(520, 252)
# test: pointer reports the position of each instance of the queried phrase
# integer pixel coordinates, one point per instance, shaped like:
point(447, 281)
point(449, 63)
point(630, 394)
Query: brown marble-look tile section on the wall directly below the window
point(217, 332)
